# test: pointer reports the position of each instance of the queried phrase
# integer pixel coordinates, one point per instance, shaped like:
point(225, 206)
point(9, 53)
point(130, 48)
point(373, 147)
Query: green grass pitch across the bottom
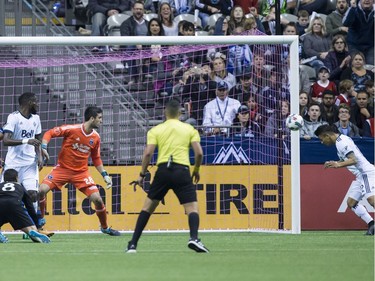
point(323, 255)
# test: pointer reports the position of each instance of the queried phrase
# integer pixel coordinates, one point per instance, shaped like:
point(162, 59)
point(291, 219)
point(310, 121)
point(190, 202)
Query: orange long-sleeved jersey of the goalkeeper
point(77, 146)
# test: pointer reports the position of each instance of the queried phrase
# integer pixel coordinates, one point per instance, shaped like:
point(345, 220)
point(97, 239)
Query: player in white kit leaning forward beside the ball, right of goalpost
point(352, 158)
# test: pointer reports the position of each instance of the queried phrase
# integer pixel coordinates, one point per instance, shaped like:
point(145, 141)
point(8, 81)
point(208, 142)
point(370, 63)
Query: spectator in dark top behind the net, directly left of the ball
point(276, 120)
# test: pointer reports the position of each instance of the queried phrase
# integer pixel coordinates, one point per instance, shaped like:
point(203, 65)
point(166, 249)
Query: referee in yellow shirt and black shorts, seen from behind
point(173, 139)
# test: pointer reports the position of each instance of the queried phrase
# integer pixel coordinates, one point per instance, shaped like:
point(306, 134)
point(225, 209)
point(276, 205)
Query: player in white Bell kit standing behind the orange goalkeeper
point(23, 135)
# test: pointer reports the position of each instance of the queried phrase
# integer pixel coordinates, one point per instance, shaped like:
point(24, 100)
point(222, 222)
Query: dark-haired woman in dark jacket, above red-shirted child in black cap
point(338, 58)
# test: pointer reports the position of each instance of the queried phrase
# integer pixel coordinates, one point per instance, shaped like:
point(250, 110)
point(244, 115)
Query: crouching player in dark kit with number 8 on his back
point(16, 208)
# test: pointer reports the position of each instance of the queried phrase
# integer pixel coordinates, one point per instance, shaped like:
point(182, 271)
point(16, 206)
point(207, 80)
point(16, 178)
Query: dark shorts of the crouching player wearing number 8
point(13, 212)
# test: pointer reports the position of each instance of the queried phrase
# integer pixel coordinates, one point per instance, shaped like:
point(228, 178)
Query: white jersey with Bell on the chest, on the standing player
point(22, 128)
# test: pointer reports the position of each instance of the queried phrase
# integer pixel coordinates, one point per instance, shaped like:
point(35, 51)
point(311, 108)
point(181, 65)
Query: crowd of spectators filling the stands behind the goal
point(219, 87)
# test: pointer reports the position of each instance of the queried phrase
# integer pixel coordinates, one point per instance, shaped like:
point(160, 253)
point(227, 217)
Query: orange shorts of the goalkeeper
point(59, 176)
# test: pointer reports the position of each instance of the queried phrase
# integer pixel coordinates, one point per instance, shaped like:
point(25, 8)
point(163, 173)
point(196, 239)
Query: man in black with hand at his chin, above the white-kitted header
point(361, 111)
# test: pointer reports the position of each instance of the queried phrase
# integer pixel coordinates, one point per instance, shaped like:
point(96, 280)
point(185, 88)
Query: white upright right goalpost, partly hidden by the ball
point(295, 145)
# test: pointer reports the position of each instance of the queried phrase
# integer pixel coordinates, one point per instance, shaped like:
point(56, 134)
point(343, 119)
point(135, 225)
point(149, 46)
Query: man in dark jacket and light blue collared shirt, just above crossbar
point(135, 25)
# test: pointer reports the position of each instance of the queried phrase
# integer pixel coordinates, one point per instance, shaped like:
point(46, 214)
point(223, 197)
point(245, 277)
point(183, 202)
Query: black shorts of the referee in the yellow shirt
point(177, 178)
